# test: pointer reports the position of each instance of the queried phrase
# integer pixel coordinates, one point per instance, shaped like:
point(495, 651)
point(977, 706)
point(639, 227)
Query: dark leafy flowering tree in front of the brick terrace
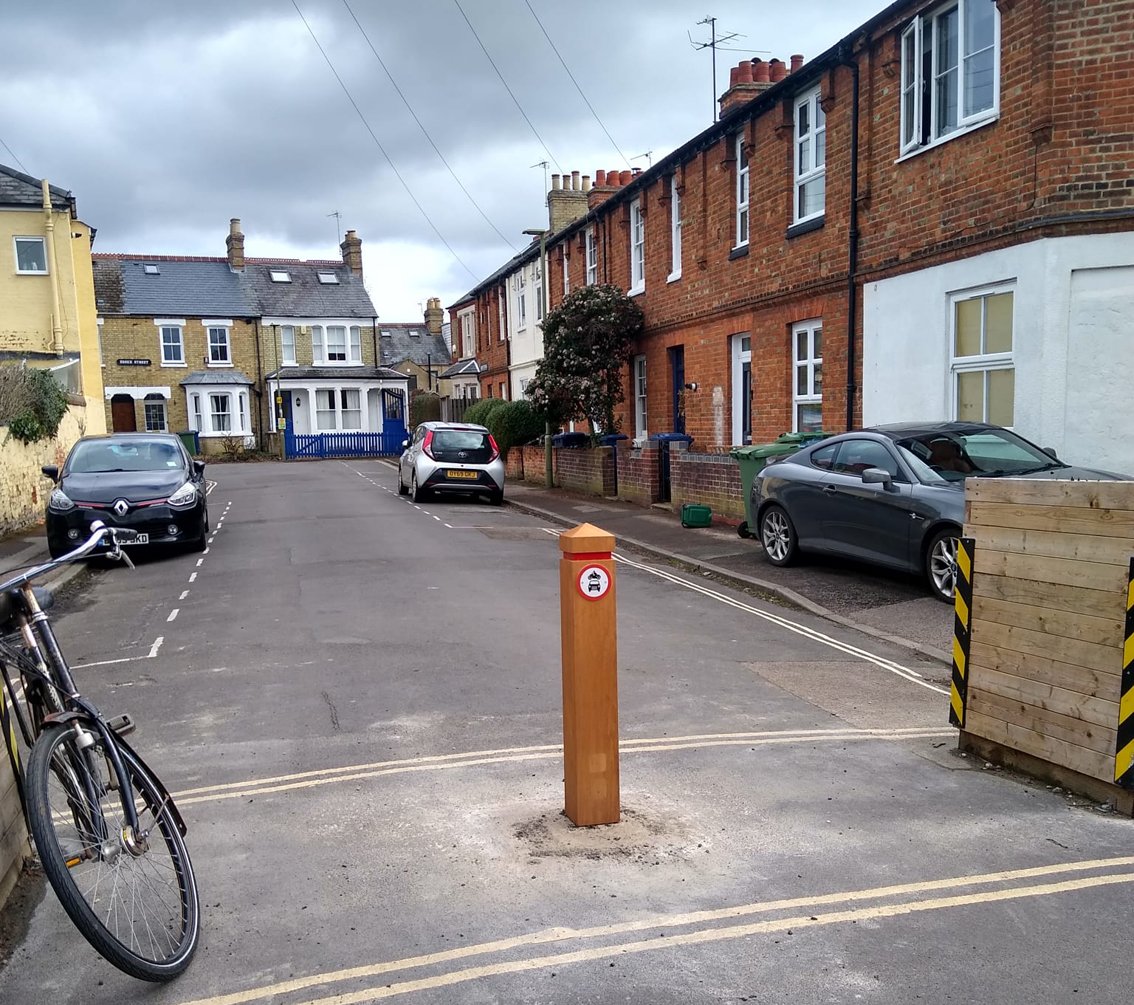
point(587, 344)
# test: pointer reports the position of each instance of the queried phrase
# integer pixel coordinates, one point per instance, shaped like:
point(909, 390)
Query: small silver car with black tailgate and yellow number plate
point(451, 458)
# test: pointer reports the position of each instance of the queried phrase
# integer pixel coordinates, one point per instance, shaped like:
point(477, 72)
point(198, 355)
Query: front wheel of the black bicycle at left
point(132, 896)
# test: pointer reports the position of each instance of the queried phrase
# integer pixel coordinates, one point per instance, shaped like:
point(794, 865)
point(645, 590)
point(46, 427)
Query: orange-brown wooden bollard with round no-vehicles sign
point(590, 673)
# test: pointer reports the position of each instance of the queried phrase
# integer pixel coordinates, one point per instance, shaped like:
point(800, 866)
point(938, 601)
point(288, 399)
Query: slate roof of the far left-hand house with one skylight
point(197, 288)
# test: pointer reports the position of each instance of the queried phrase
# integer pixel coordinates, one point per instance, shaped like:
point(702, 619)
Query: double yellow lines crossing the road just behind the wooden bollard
point(469, 759)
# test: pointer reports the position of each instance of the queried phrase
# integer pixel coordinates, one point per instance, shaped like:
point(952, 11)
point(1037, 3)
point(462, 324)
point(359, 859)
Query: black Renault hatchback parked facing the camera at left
point(143, 482)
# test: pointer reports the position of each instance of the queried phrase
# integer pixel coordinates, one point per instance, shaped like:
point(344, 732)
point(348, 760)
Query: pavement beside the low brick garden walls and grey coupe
point(884, 605)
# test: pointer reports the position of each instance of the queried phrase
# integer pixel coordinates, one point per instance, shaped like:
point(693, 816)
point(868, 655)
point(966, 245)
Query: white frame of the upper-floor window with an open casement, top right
point(918, 90)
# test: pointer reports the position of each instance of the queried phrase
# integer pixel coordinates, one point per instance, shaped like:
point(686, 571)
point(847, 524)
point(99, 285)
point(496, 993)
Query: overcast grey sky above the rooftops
point(166, 120)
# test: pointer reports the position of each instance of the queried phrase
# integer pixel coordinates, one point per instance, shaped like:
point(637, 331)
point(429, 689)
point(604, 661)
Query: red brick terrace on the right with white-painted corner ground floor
point(930, 221)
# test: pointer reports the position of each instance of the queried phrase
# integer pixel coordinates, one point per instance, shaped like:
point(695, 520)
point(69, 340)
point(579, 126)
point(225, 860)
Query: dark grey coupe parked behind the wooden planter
point(893, 495)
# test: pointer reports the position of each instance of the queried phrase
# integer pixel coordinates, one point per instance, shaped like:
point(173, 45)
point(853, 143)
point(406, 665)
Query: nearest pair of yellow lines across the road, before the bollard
point(665, 938)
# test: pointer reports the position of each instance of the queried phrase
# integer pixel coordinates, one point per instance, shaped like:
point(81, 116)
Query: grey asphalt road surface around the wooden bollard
point(358, 704)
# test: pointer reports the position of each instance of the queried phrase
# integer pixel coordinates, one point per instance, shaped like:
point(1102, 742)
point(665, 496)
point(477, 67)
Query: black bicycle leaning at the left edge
point(109, 838)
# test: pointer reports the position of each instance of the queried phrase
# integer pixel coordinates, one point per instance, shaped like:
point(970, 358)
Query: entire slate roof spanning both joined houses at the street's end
point(208, 288)
